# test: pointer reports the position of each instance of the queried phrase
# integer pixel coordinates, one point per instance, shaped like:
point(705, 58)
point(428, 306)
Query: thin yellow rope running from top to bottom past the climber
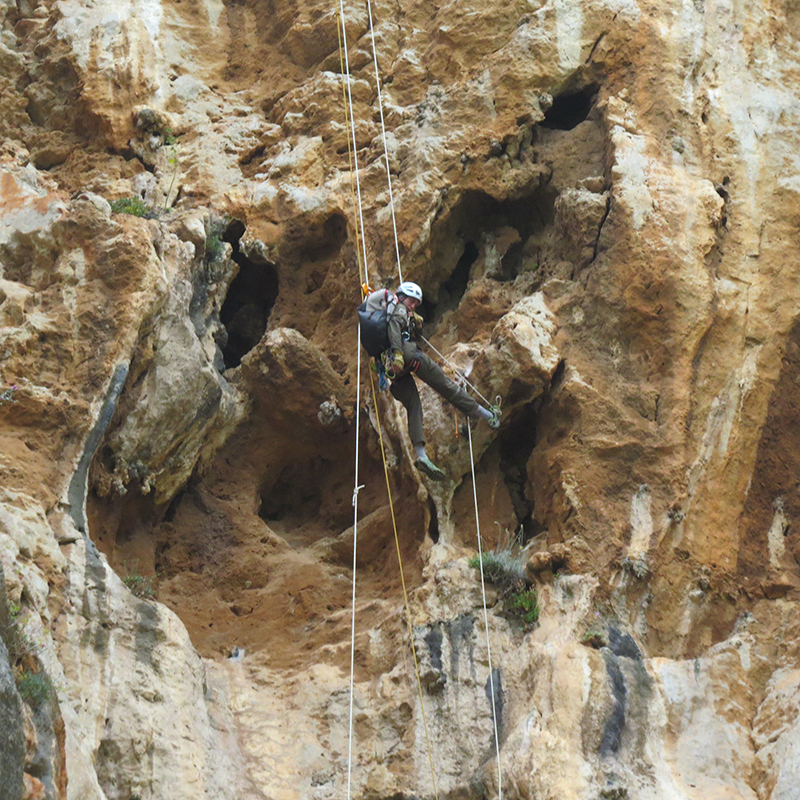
point(364, 281)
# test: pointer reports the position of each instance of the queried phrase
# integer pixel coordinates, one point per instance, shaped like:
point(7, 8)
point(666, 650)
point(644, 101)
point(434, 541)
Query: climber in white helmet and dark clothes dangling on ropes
point(401, 357)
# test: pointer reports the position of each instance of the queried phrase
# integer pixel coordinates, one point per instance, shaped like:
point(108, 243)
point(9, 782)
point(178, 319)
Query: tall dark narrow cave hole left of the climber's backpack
point(251, 296)
